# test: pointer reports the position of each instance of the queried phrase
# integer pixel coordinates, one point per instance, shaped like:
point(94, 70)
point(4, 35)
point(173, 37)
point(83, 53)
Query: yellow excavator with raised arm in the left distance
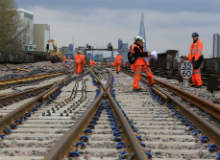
point(54, 55)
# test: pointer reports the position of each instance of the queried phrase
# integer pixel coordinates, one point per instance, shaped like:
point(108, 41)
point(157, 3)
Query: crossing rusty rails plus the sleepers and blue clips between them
point(81, 136)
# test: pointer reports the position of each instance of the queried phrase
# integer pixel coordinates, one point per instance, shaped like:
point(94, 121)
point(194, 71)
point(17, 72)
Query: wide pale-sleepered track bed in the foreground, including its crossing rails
point(108, 121)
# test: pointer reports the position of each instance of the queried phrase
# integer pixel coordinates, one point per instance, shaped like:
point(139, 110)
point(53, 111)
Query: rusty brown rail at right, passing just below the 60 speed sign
point(209, 107)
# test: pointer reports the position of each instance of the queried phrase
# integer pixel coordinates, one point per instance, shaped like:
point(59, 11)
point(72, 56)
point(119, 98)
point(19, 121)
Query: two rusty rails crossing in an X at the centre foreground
point(65, 144)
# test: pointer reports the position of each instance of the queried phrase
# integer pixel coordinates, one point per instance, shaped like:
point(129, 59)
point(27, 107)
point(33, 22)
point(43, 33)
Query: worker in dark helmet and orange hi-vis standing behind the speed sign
point(196, 58)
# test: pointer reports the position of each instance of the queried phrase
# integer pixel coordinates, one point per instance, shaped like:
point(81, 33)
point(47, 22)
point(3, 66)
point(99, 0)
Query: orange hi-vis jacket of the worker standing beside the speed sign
point(195, 50)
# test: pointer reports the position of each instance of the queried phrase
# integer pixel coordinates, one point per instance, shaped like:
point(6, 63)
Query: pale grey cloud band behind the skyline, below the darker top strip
point(164, 30)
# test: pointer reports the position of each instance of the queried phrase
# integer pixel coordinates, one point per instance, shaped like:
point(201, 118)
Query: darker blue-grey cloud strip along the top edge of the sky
point(158, 5)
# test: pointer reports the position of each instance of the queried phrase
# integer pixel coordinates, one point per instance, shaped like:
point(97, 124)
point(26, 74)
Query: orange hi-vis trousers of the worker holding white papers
point(138, 69)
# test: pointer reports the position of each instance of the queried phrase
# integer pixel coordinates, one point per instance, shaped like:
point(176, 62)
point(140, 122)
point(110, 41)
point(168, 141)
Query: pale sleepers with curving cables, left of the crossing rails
point(33, 138)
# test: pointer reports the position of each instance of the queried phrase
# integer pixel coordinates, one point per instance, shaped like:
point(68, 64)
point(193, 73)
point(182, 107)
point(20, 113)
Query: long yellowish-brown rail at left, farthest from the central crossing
point(29, 79)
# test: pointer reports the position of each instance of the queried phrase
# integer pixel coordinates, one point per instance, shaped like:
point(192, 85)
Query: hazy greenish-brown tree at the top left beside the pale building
point(11, 27)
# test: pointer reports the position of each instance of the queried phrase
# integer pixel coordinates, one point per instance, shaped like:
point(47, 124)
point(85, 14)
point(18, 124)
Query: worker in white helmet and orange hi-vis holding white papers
point(140, 61)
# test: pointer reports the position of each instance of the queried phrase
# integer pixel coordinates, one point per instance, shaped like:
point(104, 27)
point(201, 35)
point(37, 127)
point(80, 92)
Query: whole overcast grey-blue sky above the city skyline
point(168, 23)
